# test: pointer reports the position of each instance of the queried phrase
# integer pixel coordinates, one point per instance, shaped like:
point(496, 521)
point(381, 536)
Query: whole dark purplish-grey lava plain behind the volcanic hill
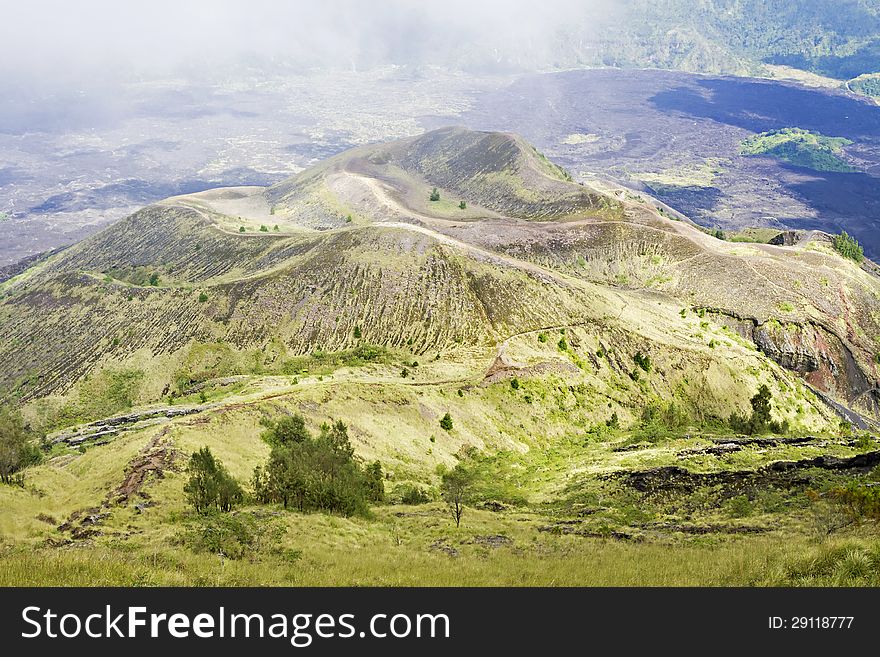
point(674, 135)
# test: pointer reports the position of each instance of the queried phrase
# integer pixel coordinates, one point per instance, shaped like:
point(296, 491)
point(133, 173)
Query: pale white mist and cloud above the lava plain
point(93, 40)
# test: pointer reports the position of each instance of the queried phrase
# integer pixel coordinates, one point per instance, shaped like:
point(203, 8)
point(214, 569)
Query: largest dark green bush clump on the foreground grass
point(319, 473)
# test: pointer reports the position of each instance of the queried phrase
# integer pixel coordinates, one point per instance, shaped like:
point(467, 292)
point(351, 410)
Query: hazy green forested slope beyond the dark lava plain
point(835, 38)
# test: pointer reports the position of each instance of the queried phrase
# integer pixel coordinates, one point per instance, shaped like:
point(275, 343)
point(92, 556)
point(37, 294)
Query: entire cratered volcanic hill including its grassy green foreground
point(620, 388)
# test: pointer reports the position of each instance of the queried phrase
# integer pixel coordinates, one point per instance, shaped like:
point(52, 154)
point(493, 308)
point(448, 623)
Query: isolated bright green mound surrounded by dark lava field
point(800, 148)
